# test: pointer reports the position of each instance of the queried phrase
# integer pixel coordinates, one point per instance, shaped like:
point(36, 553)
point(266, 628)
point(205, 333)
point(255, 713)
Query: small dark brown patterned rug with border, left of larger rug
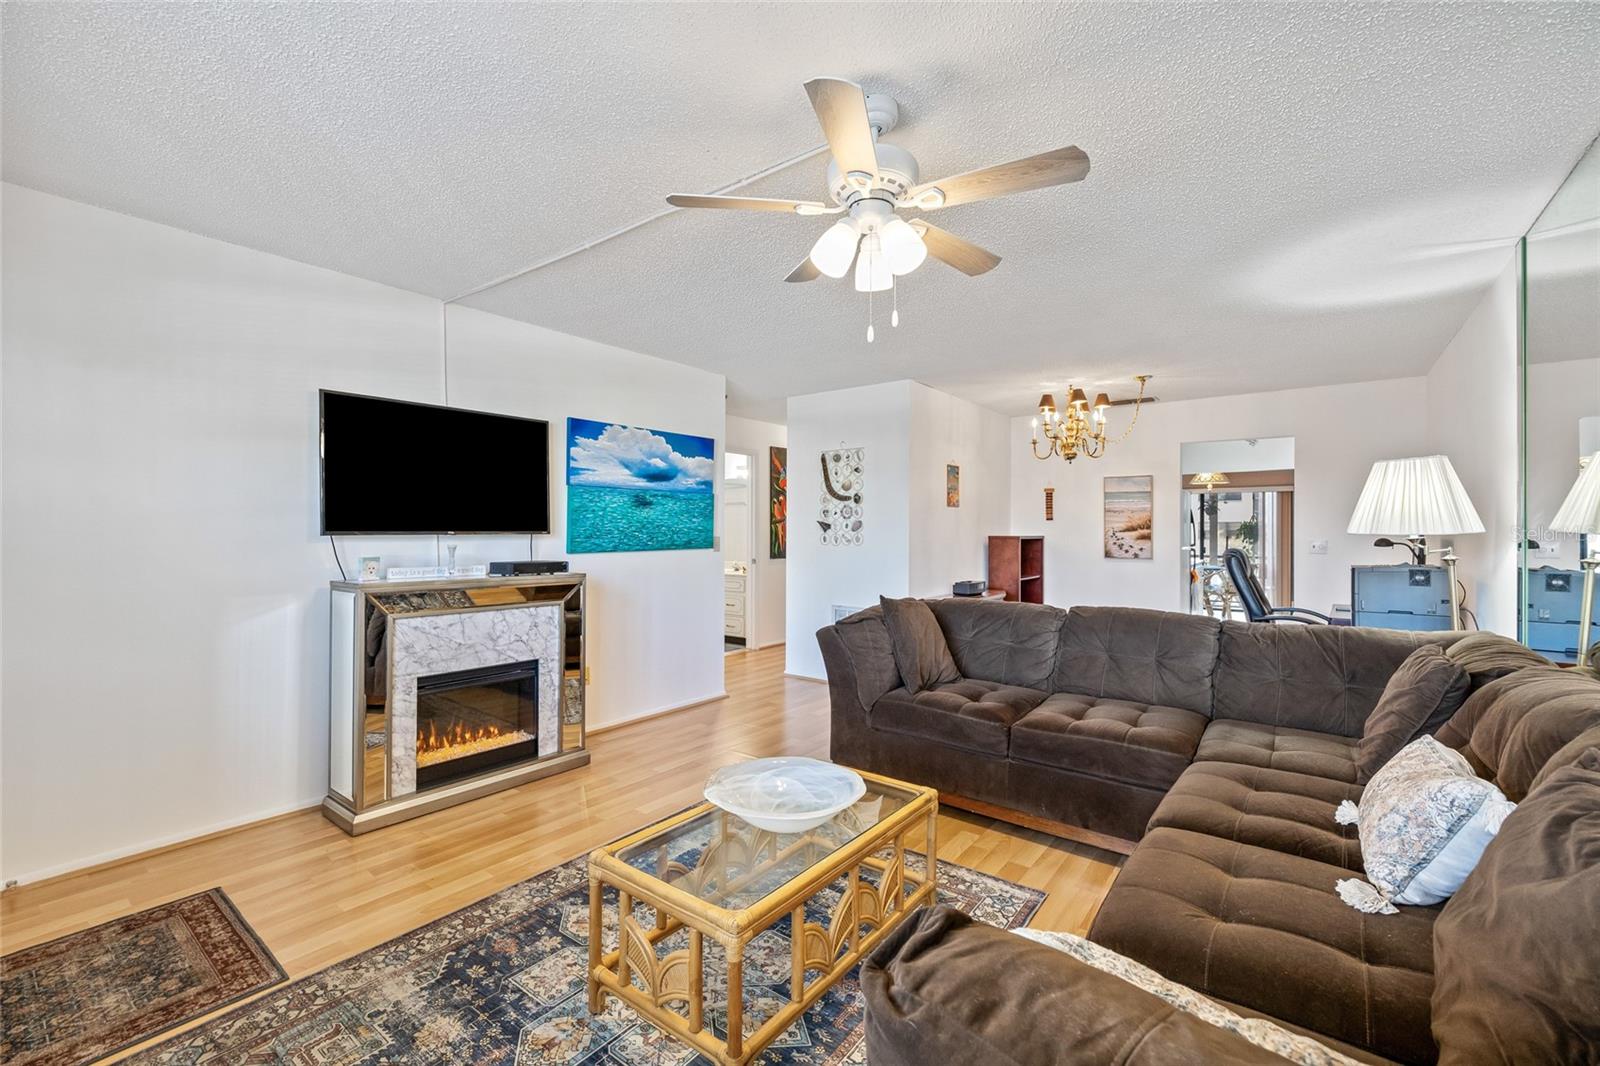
point(94, 993)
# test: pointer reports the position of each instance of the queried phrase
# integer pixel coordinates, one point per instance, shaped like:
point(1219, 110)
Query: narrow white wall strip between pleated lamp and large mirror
point(1473, 419)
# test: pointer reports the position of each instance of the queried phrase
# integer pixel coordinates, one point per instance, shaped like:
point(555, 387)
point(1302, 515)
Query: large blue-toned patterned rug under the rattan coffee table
point(503, 982)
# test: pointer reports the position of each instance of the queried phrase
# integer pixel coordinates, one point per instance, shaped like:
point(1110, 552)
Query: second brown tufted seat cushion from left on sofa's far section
point(1110, 739)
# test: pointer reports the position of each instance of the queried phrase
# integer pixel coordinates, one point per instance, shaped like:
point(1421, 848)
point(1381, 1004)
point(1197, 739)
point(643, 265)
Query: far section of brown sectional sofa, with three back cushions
point(1087, 718)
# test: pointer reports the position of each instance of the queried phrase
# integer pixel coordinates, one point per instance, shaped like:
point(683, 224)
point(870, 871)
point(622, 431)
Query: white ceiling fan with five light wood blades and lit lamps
point(871, 182)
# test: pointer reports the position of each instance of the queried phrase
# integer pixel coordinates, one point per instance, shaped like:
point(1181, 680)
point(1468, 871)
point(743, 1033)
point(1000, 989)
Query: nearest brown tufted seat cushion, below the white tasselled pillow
point(1265, 929)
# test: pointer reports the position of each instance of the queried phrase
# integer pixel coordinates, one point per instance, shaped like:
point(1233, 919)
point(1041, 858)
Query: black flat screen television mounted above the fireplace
point(390, 467)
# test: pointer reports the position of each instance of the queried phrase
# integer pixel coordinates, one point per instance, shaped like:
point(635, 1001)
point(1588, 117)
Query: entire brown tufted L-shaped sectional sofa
point(1222, 748)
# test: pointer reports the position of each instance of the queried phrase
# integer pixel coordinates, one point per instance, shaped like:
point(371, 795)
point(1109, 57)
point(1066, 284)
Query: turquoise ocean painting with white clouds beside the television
point(638, 491)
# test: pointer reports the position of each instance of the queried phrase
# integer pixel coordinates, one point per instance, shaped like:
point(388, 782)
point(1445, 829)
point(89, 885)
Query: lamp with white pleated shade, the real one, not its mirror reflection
point(1418, 499)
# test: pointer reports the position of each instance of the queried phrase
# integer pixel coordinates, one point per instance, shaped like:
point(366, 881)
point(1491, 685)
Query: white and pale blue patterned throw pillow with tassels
point(1425, 820)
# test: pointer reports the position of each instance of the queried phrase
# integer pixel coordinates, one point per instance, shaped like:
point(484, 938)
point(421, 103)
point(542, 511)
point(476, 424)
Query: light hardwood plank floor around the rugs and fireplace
point(318, 896)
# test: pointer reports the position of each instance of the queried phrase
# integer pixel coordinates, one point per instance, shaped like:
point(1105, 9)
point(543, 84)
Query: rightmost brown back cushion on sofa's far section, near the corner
point(1310, 678)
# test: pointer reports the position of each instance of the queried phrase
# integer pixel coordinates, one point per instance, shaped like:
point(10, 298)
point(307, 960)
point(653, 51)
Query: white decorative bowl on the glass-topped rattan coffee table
point(788, 795)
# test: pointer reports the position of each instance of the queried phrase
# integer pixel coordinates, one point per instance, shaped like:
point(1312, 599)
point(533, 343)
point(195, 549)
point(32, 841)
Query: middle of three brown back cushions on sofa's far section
point(1138, 655)
